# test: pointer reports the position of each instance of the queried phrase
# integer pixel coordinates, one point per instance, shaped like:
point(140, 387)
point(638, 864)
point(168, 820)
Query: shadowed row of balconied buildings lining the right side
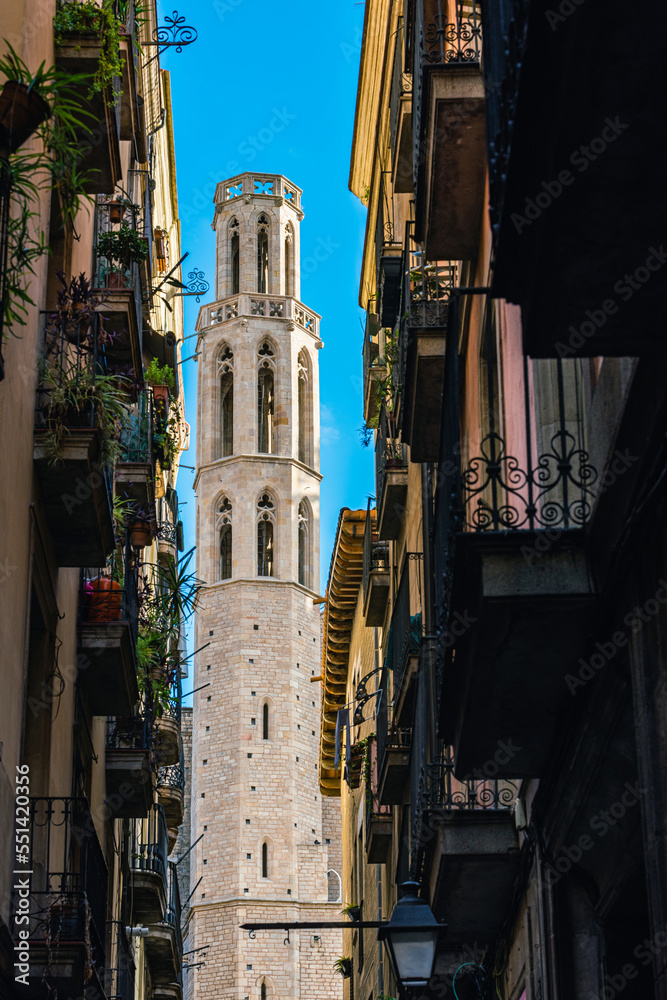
point(506, 609)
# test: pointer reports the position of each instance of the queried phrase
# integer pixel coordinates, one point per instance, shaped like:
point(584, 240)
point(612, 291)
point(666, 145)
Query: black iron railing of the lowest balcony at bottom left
point(68, 885)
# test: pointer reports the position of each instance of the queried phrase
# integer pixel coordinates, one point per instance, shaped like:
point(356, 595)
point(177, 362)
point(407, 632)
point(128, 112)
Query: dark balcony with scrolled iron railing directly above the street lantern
point(469, 841)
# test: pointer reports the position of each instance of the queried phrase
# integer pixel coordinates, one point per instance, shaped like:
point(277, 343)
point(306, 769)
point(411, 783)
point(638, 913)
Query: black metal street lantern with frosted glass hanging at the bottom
point(411, 936)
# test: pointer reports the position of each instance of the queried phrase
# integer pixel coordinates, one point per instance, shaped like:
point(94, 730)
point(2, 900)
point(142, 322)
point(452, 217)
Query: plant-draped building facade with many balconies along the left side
point(91, 657)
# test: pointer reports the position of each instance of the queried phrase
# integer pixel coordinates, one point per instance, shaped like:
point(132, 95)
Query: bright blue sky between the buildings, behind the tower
point(295, 65)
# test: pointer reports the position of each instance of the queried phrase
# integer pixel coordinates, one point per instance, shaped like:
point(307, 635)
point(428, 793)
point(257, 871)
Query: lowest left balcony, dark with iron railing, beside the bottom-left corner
point(67, 900)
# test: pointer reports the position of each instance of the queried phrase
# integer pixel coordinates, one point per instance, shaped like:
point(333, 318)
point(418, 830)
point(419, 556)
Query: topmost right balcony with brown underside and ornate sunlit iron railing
point(449, 127)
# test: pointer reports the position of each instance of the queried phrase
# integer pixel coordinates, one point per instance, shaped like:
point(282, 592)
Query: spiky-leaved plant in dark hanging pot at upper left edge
point(23, 106)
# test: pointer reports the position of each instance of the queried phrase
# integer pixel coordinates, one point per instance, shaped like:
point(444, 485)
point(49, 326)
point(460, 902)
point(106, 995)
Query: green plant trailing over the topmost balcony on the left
point(84, 16)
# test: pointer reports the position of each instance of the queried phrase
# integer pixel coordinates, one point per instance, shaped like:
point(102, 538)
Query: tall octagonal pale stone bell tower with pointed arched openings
point(268, 838)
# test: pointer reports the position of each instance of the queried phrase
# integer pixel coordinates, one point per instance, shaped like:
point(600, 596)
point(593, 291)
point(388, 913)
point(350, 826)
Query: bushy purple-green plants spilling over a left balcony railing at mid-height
point(76, 396)
